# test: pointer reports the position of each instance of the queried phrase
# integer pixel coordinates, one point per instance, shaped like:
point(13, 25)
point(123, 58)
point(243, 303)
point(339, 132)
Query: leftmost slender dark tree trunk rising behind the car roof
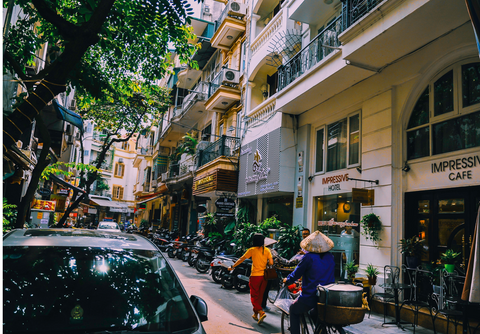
point(42, 163)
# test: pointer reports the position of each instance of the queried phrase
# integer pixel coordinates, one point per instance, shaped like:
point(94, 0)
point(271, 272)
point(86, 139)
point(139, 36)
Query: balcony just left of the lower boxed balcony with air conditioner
point(192, 106)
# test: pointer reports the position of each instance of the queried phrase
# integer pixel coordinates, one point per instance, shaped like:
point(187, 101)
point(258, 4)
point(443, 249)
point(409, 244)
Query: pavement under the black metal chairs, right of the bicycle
point(374, 324)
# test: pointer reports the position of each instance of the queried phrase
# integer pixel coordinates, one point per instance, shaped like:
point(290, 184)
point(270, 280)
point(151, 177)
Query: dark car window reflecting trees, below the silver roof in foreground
point(86, 289)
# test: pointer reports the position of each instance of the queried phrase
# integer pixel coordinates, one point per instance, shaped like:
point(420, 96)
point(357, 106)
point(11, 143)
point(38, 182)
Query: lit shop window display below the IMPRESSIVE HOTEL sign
point(339, 218)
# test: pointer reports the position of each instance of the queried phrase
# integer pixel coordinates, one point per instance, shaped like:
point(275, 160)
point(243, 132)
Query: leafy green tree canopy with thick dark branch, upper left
point(95, 46)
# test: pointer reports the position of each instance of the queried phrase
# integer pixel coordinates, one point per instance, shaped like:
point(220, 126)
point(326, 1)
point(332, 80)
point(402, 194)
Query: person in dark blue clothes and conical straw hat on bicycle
point(315, 268)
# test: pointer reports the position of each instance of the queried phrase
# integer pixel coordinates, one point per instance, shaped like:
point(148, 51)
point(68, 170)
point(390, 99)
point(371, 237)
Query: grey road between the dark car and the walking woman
point(229, 311)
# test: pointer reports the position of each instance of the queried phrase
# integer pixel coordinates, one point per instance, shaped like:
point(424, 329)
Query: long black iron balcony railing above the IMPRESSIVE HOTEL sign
point(320, 47)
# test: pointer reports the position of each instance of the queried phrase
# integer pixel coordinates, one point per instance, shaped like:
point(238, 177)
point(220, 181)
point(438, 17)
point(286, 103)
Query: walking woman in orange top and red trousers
point(261, 256)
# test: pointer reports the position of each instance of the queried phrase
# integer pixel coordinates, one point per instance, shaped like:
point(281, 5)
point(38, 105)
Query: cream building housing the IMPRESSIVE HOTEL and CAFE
point(379, 99)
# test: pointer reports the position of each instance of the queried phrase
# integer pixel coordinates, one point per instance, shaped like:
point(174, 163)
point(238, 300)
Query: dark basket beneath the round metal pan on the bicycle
point(340, 315)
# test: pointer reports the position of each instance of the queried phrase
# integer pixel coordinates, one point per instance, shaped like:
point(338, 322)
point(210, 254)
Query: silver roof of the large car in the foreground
point(67, 237)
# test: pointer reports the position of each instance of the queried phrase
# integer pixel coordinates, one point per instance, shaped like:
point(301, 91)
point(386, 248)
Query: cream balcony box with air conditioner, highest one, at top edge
point(229, 26)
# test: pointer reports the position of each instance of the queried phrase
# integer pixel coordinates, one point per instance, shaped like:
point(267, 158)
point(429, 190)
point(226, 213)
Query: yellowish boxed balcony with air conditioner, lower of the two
point(223, 92)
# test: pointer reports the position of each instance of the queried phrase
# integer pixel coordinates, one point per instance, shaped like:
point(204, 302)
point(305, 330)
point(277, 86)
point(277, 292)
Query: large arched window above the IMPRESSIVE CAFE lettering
point(446, 116)
